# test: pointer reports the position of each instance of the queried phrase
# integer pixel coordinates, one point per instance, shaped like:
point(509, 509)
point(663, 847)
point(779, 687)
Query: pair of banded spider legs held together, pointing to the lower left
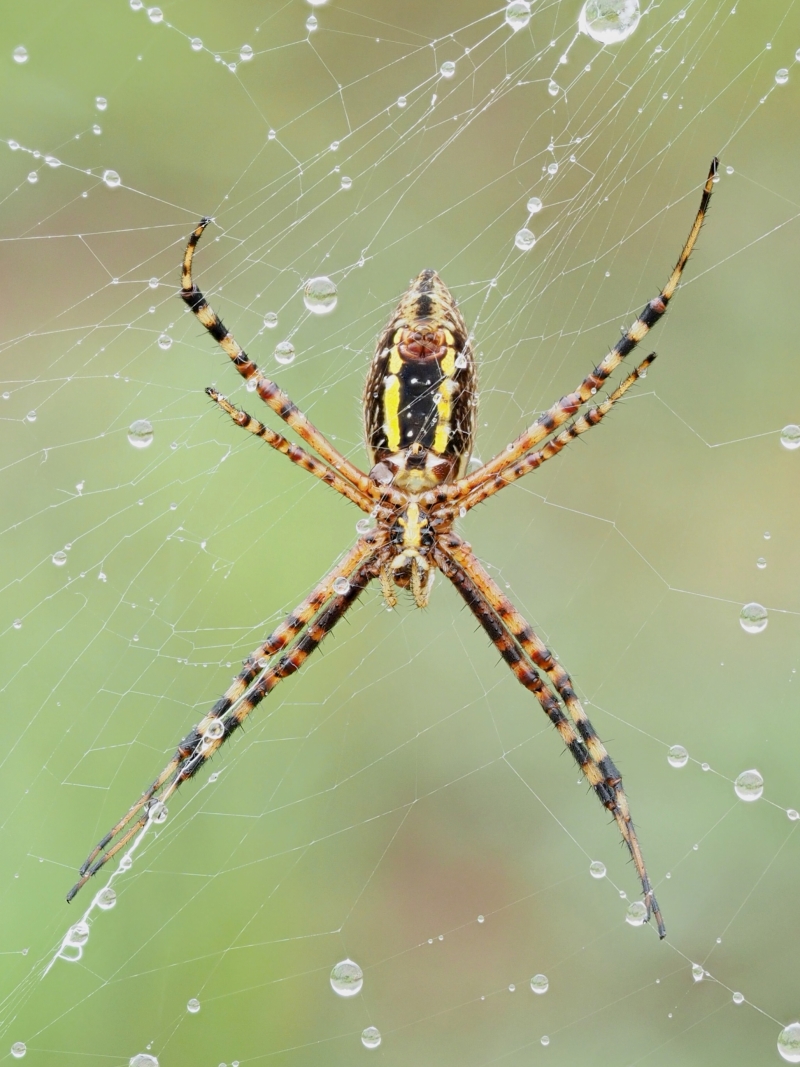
point(253, 683)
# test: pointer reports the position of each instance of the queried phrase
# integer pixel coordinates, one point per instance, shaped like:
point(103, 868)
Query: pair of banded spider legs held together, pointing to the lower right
point(520, 647)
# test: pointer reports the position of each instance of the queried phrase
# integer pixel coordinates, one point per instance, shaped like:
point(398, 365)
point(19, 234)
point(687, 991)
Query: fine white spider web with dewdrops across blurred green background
point(402, 802)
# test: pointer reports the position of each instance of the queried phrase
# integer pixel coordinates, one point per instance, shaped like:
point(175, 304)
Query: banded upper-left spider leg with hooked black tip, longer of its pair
point(267, 390)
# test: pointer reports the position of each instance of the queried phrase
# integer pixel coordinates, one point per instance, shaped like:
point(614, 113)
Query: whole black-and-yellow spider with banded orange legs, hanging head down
point(420, 411)
